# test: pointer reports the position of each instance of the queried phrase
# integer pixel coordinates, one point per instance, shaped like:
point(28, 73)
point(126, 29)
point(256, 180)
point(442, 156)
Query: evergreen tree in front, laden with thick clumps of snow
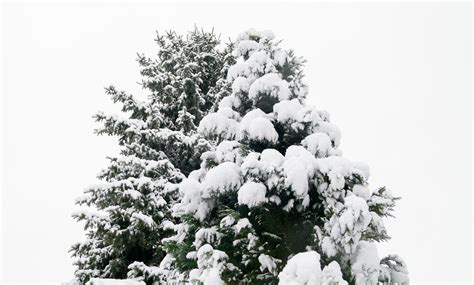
point(275, 201)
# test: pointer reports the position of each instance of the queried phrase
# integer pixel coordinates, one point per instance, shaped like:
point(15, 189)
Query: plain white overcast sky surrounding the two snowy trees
point(396, 79)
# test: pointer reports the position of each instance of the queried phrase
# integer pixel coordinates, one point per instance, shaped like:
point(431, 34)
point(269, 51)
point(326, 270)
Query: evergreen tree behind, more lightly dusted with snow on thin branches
point(125, 216)
